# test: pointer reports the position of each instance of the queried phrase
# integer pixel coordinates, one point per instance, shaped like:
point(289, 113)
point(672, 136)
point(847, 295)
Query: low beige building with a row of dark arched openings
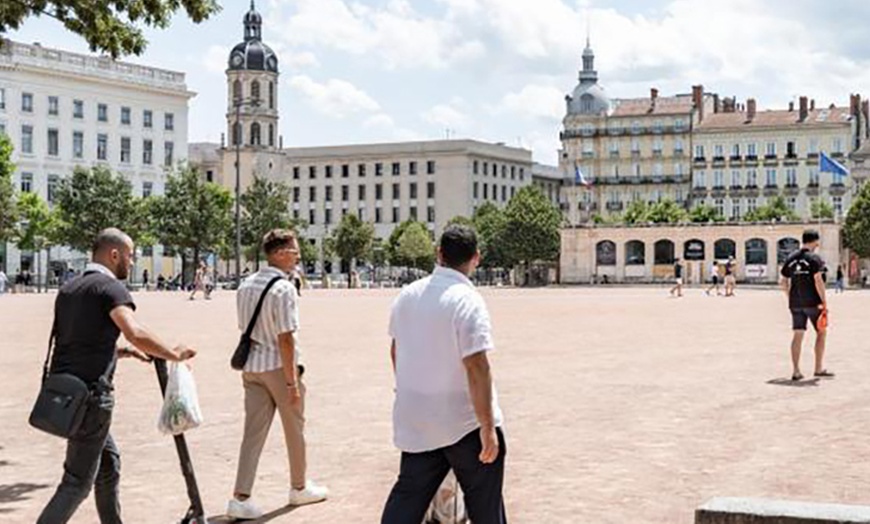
point(647, 253)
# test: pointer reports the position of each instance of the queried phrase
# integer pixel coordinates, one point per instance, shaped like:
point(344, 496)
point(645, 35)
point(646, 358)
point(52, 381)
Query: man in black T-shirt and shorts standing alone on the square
point(804, 283)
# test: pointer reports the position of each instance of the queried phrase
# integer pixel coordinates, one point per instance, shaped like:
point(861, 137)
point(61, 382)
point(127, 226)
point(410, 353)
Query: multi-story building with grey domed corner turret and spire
point(628, 149)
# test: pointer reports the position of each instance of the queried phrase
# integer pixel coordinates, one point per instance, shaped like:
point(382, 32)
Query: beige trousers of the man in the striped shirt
point(264, 393)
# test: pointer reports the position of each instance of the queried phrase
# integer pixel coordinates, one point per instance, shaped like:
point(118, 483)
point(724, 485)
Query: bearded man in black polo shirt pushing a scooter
point(90, 312)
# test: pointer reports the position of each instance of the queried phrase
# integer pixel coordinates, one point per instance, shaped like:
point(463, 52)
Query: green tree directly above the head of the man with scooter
point(92, 200)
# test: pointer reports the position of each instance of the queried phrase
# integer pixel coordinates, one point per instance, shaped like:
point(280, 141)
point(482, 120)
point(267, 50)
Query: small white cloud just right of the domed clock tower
point(335, 98)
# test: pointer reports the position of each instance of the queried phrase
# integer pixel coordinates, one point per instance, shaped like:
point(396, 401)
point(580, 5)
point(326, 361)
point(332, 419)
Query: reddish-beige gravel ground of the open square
point(622, 406)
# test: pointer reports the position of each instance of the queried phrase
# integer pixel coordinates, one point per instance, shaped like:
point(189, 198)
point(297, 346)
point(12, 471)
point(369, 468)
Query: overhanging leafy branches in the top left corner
point(111, 26)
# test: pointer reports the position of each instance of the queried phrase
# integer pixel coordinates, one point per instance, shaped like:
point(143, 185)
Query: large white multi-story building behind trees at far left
point(63, 110)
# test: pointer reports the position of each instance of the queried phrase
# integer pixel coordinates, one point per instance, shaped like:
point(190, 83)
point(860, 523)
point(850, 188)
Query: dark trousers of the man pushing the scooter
point(92, 460)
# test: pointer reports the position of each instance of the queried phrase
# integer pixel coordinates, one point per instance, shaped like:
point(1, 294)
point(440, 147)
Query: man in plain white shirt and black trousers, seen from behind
point(446, 412)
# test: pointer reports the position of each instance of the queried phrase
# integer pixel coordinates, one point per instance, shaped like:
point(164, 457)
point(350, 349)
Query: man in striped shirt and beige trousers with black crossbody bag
point(272, 376)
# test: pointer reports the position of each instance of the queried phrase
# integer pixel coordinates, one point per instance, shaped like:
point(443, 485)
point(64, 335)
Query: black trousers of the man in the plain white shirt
point(421, 474)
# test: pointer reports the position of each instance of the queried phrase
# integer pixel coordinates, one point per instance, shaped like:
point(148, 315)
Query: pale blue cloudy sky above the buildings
point(498, 70)
